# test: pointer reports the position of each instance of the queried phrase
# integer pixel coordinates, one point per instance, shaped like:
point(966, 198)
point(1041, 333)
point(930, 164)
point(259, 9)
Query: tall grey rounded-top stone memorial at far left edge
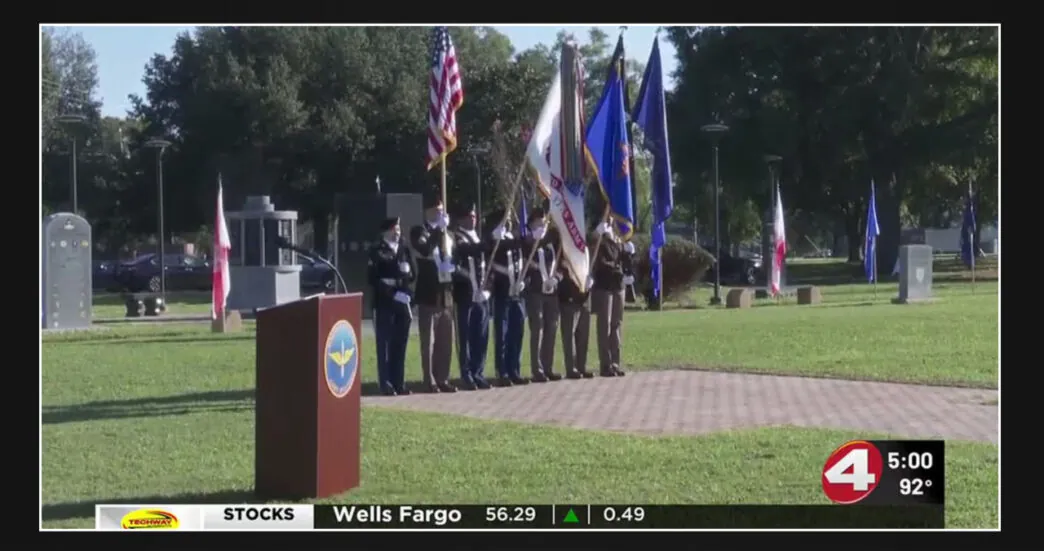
point(66, 278)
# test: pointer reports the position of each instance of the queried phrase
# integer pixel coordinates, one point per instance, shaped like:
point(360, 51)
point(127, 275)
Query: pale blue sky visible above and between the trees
point(123, 53)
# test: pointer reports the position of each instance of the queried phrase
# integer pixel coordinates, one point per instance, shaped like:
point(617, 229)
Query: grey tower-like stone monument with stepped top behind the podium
point(263, 274)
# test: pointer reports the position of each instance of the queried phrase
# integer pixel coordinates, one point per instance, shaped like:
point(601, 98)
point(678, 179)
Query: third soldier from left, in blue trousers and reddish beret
point(471, 301)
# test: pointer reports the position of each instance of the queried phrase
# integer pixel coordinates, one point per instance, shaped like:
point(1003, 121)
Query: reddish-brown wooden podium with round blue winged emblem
point(307, 398)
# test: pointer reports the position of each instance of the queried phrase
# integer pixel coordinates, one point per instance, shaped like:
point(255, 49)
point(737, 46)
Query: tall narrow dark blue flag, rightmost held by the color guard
point(651, 115)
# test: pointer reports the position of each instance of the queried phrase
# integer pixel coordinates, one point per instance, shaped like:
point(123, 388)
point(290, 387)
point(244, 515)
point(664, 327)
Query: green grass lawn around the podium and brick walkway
point(164, 414)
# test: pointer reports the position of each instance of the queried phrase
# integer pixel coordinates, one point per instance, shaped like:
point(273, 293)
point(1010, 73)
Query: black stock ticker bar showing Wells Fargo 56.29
point(628, 517)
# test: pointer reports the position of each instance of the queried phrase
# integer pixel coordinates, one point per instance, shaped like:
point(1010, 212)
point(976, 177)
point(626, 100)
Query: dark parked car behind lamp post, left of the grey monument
point(183, 273)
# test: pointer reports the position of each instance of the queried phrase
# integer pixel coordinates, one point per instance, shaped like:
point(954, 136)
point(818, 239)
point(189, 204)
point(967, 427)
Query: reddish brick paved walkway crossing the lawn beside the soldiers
point(692, 402)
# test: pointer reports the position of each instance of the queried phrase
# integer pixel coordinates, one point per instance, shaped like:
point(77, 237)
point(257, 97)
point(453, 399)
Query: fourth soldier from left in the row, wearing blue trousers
point(509, 315)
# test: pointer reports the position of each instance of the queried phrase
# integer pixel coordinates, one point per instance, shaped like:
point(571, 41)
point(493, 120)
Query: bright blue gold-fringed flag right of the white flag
point(607, 139)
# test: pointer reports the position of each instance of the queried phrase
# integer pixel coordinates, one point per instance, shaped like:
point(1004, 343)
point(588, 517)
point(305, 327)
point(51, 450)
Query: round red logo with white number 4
point(852, 472)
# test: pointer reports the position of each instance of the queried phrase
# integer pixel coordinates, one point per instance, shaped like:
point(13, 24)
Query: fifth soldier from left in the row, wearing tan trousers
point(541, 297)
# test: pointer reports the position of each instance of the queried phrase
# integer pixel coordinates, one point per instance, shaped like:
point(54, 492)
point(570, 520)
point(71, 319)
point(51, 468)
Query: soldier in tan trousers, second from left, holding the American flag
point(434, 295)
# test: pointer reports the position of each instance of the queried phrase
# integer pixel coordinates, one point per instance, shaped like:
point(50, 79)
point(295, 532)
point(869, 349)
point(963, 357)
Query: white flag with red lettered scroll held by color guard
point(545, 157)
